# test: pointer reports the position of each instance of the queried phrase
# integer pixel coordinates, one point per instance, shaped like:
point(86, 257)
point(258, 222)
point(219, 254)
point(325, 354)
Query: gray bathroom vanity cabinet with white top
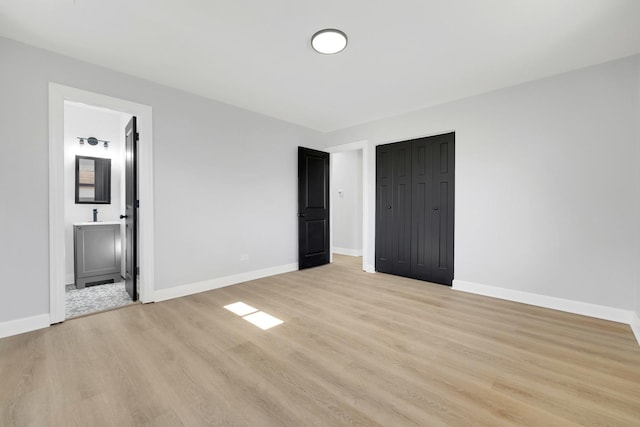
point(96, 253)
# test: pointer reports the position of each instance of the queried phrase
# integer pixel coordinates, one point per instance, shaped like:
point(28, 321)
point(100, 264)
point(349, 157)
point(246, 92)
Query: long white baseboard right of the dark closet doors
point(570, 306)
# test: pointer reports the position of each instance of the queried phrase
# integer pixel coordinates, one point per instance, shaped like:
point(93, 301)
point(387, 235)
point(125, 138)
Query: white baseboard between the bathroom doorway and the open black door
point(220, 282)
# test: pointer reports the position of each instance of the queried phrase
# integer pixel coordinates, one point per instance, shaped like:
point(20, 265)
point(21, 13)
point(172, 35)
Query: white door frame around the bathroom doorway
point(57, 95)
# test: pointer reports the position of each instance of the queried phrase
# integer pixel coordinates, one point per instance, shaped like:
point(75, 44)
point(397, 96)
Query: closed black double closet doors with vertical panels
point(414, 208)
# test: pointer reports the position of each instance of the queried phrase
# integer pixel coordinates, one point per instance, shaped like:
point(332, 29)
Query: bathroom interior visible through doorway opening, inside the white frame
point(95, 176)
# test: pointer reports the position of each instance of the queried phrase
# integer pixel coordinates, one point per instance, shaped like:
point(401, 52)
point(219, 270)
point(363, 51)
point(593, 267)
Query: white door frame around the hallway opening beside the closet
point(368, 238)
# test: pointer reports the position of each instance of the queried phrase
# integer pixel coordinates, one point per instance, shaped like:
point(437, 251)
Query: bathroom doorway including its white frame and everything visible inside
point(88, 125)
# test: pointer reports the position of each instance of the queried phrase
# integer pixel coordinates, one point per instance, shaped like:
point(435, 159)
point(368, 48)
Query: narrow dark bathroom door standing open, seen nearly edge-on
point(131, 204)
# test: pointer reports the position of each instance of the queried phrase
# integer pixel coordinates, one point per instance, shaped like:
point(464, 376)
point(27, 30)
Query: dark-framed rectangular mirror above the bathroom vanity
point(93, 180)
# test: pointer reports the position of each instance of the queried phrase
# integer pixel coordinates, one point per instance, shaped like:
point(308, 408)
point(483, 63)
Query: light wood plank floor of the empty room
point(354, 349)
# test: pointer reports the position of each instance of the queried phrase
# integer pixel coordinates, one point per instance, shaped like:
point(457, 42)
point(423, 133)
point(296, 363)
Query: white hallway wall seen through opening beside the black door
point(346, 193)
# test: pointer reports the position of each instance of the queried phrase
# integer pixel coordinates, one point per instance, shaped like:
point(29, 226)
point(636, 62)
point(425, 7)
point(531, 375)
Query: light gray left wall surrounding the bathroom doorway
point(225, 178)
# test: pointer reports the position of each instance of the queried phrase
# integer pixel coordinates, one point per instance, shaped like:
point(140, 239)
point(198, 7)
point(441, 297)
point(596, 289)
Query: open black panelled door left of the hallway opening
point(313, 208)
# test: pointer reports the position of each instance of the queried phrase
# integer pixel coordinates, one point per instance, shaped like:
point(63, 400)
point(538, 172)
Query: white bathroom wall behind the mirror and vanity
point(105, 125)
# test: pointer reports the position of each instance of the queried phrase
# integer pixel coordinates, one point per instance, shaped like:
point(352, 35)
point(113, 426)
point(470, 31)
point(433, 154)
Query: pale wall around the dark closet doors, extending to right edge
point(546, 183)
